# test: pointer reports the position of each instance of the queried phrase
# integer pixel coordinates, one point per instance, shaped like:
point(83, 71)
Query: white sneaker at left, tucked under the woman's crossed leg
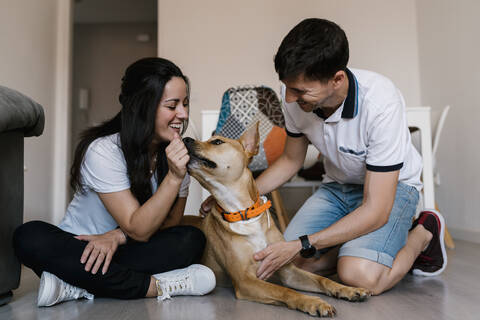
point(54, 290)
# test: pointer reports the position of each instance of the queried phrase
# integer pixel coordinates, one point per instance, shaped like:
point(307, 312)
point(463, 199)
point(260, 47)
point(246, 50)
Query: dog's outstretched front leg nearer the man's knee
point(297, 278)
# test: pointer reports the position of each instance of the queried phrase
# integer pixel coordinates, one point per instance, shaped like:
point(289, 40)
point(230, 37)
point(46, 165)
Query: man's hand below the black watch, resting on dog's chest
point(276, 256)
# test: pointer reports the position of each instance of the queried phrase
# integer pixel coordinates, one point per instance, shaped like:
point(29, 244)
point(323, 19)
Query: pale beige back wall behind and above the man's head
point(219, 44)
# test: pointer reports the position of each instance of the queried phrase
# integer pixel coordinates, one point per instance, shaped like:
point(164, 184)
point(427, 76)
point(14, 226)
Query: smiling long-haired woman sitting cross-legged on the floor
point(130, 183)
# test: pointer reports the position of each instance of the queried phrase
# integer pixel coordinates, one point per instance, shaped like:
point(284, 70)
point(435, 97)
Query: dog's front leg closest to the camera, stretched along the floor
point(254, 289)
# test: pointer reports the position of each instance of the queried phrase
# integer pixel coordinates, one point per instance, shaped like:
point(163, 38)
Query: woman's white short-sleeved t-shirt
point(103, 170)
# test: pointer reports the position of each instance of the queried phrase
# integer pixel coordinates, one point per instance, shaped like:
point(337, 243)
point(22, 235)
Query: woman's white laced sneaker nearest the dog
point(194, 280)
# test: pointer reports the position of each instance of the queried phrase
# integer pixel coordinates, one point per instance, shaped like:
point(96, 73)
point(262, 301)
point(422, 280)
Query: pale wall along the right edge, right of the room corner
point(450, 73)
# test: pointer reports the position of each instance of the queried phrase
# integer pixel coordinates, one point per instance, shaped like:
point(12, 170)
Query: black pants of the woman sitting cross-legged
point(45, 247)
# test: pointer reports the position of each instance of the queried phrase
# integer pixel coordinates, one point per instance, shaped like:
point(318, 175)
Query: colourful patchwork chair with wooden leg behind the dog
point(242, 107)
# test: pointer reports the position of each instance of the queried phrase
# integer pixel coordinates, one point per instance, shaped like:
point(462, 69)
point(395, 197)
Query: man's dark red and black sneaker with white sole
point(433, 260)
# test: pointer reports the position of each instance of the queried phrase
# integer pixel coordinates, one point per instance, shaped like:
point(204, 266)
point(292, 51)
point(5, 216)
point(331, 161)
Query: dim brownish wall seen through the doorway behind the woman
point(102, 52)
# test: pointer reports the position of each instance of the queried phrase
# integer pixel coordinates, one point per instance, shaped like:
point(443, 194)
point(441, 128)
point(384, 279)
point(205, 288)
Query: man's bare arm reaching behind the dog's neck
point(285, 166)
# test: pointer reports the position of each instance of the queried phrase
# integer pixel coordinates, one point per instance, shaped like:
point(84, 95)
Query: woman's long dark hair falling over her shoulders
point(142, 89)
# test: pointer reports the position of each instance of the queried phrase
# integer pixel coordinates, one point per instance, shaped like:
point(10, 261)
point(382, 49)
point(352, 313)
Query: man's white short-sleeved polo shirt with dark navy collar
point(368, 132)
